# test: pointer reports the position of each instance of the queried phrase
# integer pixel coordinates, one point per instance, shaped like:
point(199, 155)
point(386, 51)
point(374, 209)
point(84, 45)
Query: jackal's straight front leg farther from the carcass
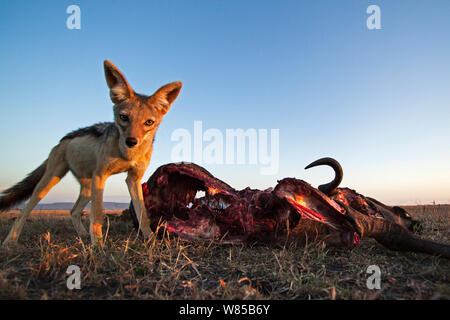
point(96, 215)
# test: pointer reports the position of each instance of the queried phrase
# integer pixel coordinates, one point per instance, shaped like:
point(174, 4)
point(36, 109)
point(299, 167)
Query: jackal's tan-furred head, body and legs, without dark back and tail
point(93, 159)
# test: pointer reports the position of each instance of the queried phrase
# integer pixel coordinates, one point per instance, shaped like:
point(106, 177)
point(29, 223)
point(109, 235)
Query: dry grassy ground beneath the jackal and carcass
point(167, 268)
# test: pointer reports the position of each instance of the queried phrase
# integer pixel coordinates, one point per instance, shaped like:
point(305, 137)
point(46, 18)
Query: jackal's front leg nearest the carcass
point(137, 197)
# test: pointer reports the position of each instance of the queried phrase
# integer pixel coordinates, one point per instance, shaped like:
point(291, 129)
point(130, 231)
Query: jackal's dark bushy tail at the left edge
point(22, 190)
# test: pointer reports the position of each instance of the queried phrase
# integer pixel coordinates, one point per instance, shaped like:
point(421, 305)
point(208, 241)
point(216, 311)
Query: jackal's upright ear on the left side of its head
point(119, 89)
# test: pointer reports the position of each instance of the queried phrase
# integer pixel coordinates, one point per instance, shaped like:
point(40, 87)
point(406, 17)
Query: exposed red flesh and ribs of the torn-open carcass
point(228, 215)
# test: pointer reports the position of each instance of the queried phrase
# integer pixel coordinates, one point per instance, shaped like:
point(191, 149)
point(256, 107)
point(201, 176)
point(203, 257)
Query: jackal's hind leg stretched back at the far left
point(52, 176)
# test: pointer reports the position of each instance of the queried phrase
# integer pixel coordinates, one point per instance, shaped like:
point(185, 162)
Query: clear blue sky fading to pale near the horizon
point(376, 100)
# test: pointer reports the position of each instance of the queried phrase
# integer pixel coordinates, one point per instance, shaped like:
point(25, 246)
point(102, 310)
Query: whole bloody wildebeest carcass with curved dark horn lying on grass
point(187, 200)
